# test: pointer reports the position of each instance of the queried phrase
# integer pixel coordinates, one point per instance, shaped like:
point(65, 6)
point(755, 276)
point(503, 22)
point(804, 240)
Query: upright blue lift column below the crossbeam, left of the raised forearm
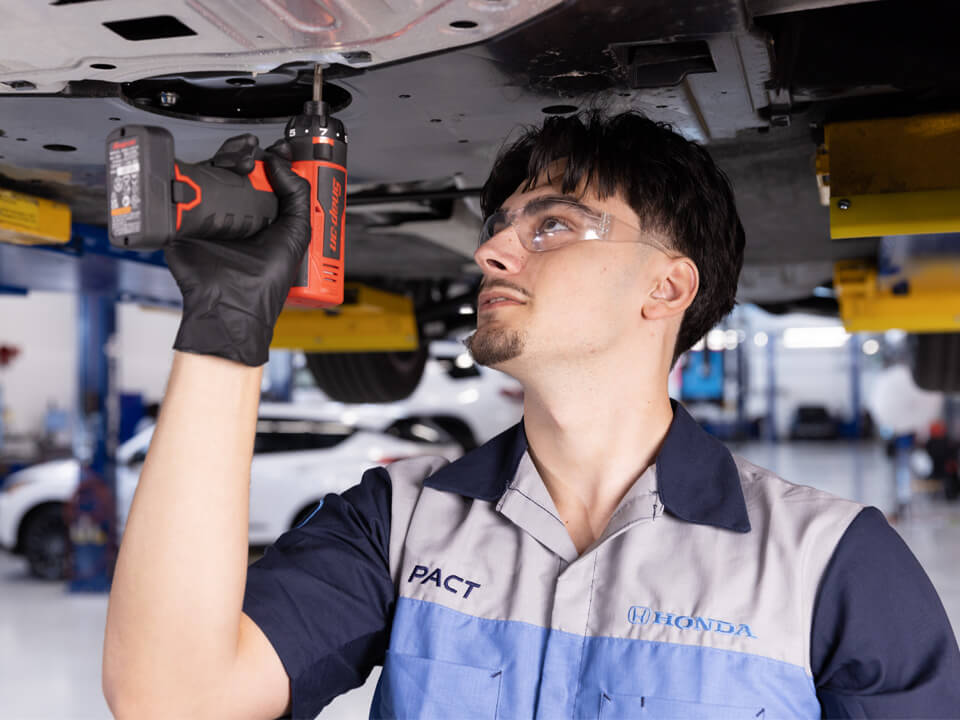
point(92, 512)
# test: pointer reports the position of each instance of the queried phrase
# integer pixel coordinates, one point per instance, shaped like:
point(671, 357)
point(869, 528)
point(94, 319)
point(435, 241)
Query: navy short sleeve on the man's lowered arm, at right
point(881, 643)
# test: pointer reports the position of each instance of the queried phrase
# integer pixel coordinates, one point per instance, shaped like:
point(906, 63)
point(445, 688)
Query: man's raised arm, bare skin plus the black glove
point(177, 643)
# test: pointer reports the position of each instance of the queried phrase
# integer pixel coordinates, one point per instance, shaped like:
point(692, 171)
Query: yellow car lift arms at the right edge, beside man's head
point(896, 177)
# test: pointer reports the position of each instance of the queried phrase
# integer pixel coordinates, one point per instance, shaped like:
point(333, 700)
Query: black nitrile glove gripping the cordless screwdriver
point(234, 290)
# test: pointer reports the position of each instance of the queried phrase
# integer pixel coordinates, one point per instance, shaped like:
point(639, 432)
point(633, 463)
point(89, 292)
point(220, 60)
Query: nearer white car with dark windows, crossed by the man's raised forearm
point(298, 458)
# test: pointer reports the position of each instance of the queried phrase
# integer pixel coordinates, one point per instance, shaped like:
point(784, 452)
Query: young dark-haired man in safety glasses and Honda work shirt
point(605, 558)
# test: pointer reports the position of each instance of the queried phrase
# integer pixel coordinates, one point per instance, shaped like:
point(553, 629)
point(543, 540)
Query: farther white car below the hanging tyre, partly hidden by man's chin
point(471, 402)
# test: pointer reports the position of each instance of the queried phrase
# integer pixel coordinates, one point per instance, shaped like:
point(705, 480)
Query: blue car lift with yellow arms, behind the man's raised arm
point(41, 250)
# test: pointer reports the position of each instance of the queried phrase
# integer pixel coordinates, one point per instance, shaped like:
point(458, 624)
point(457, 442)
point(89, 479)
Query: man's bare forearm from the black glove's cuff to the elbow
point(174, 613)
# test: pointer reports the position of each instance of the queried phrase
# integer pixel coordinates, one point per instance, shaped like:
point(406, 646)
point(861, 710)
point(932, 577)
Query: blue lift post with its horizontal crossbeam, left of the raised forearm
point(98, 275)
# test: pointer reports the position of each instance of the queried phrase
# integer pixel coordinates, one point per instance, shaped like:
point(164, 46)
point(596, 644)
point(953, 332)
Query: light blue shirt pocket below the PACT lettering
point(415, 688)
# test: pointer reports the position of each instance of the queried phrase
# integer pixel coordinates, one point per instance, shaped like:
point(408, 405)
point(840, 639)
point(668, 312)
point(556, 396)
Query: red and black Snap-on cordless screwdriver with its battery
point(153, 198)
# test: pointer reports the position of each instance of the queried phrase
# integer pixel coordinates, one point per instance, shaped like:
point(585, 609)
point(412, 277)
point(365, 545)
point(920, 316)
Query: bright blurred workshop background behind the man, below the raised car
point(793, 392)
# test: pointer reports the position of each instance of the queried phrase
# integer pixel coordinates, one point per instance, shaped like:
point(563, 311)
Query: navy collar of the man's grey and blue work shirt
point(697, 478)
